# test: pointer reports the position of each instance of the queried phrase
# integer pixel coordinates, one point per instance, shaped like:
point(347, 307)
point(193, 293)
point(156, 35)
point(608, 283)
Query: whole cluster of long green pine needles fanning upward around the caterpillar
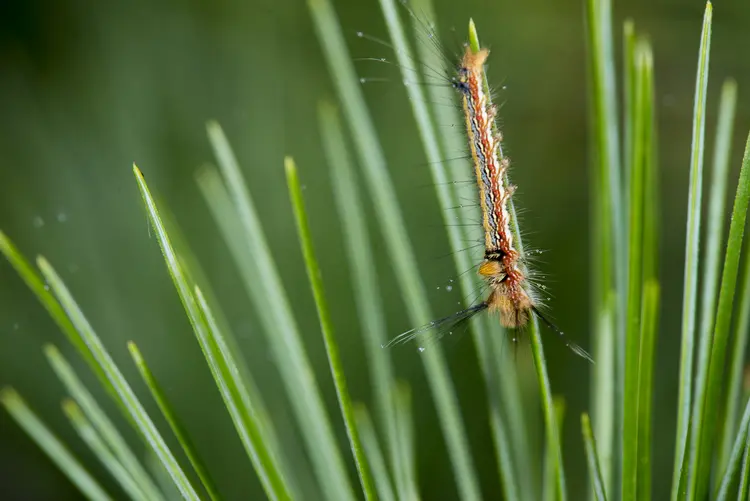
point(712, 452)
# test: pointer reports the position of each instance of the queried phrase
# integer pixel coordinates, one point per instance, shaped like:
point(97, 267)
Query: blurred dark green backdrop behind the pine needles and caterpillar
point(87, 88)
